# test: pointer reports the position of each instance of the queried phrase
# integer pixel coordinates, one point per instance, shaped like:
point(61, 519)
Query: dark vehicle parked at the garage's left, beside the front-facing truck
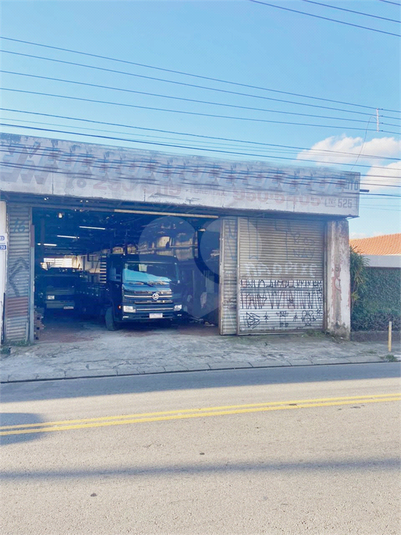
point(57, 289)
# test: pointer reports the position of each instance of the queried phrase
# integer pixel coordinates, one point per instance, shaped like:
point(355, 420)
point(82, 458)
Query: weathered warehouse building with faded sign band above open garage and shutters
point(260, 248)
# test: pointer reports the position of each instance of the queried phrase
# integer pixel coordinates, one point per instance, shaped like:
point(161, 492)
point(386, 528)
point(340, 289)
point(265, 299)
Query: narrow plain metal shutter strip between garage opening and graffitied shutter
point(228, 276)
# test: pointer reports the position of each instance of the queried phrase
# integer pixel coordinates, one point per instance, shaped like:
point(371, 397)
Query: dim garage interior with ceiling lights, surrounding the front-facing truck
point(71, 242)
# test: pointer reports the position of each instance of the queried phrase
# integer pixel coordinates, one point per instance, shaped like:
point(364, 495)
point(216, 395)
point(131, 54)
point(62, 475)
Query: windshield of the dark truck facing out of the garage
point(150, 273)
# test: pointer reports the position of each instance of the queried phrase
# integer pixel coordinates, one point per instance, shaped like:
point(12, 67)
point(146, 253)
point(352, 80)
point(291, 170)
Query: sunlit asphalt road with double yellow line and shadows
point(311, 450)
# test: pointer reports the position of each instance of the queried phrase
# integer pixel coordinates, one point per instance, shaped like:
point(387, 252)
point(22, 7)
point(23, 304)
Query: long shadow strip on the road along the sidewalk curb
point(103, 386)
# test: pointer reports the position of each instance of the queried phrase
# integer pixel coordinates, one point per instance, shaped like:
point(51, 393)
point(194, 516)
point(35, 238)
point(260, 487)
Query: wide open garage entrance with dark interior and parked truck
point(174, 258)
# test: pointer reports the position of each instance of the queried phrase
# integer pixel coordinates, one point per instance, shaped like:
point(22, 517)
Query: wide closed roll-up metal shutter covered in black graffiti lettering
point(280, 285)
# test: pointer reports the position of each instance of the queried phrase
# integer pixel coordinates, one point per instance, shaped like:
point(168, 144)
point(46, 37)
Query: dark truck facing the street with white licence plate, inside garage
point(135, 288)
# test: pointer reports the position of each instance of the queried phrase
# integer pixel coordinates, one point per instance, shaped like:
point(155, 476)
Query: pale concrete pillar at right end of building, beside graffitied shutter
point(338, 291)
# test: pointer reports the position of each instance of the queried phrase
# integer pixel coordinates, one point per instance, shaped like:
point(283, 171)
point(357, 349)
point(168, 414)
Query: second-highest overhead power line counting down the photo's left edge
point(182, 99)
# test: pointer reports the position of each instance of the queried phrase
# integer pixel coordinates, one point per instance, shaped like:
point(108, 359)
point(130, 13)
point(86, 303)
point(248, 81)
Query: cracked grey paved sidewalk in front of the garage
point(91, 351)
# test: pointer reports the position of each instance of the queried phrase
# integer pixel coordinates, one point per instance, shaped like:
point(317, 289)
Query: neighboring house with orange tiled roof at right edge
point(380, 251)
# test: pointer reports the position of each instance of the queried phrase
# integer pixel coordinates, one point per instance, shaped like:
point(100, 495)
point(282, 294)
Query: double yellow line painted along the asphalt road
point(105, 421)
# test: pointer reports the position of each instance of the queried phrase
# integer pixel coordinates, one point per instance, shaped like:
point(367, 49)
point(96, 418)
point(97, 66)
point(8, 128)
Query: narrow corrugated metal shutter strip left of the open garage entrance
point(18, 289)
